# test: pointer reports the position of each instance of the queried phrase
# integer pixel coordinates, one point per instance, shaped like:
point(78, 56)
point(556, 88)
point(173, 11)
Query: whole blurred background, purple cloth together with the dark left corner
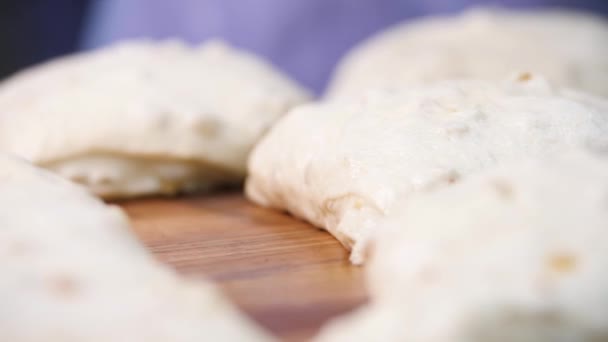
point(305, 38)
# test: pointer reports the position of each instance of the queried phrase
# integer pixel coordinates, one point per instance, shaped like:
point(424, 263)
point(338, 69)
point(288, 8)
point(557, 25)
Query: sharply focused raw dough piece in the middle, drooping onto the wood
point(342, 165)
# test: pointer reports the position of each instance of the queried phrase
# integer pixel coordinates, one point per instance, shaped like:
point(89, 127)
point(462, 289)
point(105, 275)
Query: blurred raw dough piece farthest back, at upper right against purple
point(569, 48)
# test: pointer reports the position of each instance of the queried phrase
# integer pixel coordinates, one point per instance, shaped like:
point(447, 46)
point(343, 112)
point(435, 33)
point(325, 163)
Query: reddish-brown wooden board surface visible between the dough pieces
point(287, 275)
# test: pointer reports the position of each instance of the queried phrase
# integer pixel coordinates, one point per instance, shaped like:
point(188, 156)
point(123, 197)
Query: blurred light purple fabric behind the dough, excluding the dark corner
point(303, 37)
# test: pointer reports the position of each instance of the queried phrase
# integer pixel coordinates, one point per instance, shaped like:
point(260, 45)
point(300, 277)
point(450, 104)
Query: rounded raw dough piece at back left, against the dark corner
point(144, 117)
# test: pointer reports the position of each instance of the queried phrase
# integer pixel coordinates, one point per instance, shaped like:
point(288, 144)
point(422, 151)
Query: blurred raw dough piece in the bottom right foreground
point(518, 253)
